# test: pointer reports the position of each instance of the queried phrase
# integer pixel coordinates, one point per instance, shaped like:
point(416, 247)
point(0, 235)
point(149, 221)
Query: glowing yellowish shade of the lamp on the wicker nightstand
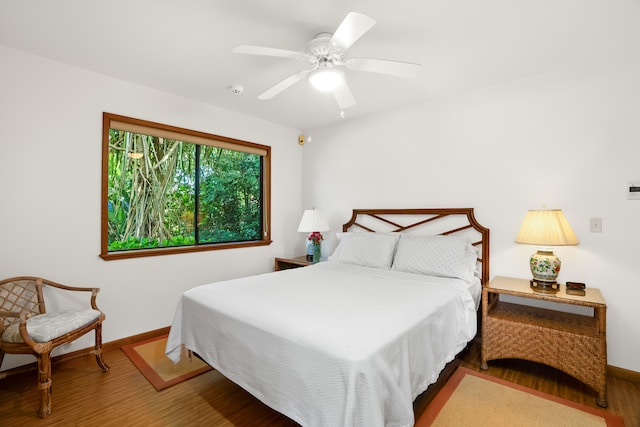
point(546, 228)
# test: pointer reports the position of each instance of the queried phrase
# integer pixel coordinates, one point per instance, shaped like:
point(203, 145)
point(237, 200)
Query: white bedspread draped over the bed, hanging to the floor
point(330, 344)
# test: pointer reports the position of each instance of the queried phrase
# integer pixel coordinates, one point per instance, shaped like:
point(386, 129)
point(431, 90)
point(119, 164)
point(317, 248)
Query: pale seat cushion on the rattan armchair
point(45, 327)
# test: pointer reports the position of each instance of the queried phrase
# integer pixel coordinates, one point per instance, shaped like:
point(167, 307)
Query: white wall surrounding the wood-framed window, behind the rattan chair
point(50, 169)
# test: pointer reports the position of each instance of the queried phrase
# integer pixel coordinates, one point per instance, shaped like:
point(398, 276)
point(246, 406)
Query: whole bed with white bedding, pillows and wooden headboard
point(354, 340)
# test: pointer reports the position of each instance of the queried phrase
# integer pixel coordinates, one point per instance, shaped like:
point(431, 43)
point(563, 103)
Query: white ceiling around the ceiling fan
point(184, 47)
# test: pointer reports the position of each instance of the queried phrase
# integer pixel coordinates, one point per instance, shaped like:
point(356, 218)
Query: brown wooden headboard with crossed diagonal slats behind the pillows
point(445, 221)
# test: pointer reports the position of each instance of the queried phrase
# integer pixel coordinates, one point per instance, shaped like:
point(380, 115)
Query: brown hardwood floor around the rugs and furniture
point(84, 396)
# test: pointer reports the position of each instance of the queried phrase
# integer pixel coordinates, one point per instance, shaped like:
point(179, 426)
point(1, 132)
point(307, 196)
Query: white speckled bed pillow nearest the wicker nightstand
point(445, 256)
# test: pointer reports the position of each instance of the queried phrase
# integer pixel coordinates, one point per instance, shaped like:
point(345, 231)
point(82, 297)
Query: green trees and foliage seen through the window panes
point(169, 193)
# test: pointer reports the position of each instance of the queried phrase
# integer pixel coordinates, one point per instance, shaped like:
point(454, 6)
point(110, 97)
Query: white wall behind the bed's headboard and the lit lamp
point(569, 140)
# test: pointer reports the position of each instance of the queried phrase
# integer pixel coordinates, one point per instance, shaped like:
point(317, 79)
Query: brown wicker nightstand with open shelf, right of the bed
point(573, 343)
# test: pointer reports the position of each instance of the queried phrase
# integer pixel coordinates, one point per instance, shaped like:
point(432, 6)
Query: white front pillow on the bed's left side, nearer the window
point(367, 249)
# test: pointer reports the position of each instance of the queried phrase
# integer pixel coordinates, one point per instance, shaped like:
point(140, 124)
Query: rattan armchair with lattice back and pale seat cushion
point(27, 328)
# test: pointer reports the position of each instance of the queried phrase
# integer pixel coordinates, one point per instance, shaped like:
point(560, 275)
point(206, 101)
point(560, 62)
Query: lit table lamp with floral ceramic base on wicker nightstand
point(545, 228)
